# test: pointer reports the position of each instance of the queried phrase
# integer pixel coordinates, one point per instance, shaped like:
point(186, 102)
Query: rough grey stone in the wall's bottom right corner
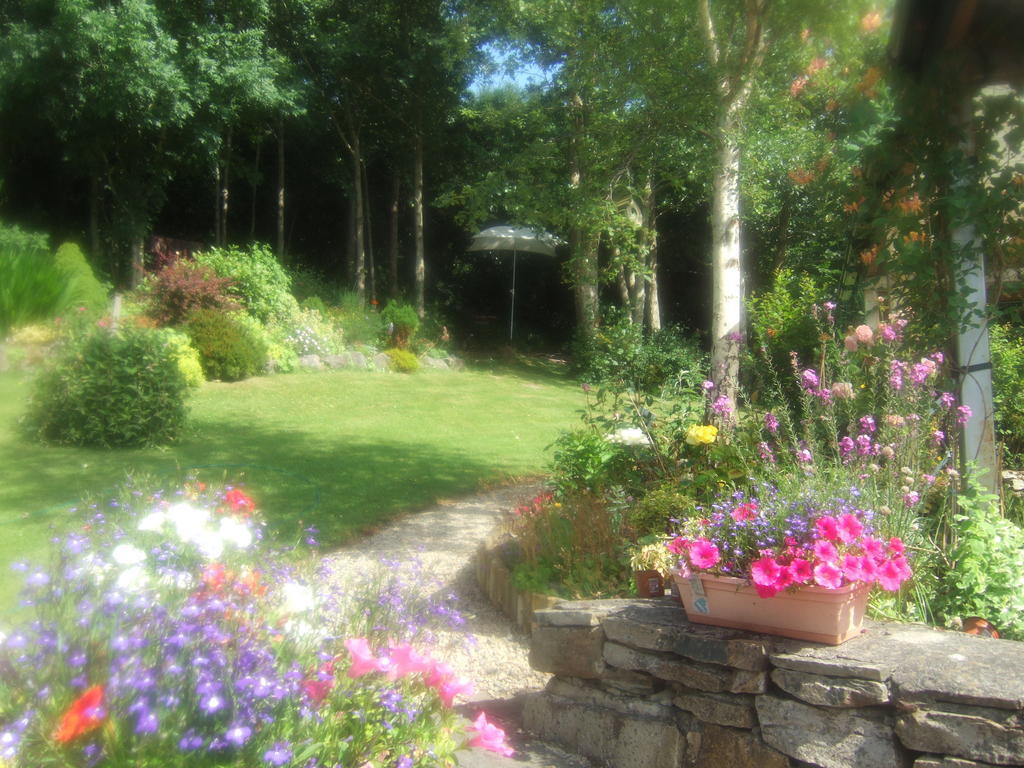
point(989, 736)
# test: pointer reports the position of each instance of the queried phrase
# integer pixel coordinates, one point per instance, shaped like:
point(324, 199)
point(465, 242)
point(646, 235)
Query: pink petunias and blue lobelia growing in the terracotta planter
point(779, 544)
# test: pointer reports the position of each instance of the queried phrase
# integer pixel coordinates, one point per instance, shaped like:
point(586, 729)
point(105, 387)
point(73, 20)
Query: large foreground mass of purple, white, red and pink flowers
point(170, 636)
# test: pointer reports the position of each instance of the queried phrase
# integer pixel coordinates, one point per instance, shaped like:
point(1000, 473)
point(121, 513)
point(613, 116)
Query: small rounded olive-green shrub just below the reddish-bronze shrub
point(228, 348)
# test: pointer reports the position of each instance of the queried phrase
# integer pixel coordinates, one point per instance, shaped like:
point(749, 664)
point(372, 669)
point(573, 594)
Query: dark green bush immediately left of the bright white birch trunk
point(625, 357)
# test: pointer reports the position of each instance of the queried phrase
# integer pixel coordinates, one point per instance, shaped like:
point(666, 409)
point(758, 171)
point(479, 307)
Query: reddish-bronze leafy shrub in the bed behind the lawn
point(183, 288)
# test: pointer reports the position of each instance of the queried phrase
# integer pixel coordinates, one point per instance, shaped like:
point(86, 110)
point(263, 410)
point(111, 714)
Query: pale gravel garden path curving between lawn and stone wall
point(445, 539)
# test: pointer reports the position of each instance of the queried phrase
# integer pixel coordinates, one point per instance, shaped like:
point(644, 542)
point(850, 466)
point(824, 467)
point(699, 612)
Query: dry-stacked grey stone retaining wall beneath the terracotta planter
point(638, 687)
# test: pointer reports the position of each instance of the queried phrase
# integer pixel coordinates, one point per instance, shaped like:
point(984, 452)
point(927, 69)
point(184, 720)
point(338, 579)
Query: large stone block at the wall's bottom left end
point(608, 738)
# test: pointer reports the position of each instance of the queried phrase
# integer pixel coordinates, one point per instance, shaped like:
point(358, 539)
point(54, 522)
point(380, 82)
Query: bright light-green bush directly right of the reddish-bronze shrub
point(259, 280)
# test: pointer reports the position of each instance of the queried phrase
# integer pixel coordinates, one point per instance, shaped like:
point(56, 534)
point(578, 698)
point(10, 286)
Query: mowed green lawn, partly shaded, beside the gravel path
point(345, 451)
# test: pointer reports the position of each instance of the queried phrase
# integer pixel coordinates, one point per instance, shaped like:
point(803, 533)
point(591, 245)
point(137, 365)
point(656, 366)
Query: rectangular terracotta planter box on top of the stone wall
point(816, 614)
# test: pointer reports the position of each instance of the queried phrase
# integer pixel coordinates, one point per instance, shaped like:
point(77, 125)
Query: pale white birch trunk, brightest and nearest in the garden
point(727, 267)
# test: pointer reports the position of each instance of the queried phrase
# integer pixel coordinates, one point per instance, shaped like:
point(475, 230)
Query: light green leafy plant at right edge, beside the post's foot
point(987, 578)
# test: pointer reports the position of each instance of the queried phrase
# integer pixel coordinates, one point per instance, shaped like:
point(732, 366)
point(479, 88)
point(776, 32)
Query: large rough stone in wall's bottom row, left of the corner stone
point(829, 739)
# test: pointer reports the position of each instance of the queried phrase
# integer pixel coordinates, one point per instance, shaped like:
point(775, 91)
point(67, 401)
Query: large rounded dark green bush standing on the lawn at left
point(122, 390)
